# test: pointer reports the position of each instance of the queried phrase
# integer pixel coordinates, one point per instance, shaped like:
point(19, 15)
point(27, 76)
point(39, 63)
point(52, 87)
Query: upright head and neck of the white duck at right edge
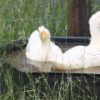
point(94, 24)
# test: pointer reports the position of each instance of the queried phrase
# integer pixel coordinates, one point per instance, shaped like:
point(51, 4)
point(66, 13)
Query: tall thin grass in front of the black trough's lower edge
point(40, 87)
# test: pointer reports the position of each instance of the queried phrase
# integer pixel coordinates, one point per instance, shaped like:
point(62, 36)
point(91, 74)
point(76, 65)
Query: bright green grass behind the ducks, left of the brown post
point(18, 18)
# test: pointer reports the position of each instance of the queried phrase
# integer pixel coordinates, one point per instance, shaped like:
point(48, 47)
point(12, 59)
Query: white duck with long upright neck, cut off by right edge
point(85, 56)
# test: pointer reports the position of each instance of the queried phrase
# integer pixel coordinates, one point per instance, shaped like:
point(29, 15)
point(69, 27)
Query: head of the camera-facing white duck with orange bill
point(44, 34)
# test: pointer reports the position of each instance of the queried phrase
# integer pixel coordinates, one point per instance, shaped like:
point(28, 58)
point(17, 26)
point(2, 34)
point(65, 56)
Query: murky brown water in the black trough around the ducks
point(16, 58)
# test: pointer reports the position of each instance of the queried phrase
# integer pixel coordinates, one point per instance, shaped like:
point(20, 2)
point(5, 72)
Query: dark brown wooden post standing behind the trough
point(78, 16)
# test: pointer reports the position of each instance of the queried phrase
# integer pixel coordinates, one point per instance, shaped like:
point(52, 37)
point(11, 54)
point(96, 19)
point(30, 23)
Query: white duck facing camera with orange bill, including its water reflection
point(40, 51)
